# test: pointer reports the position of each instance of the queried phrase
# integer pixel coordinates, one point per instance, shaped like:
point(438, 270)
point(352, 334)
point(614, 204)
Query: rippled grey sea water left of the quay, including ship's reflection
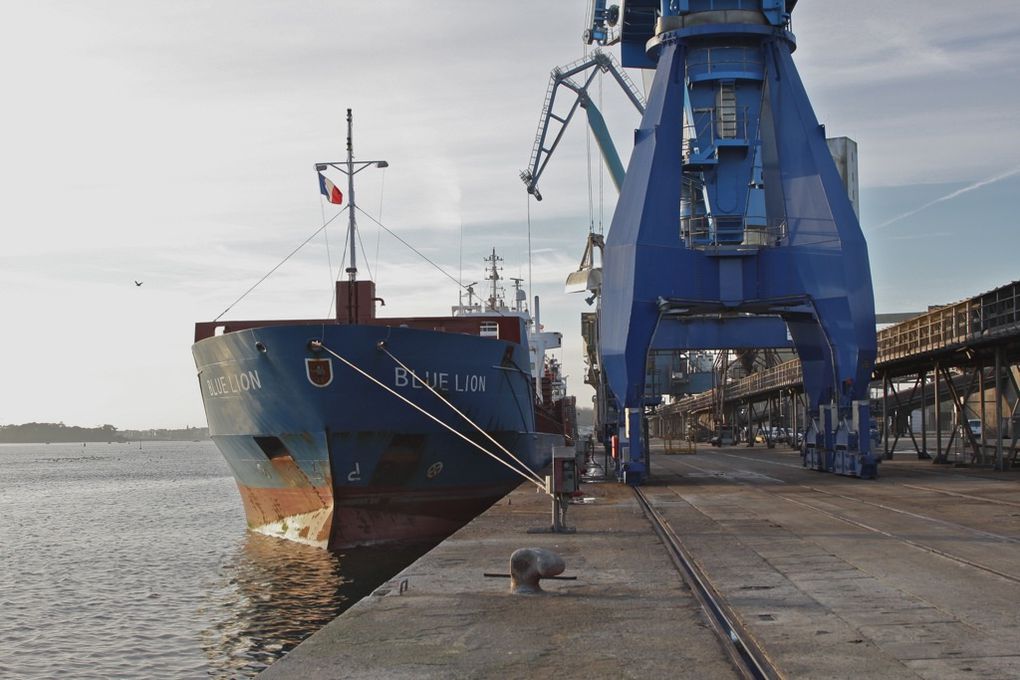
point(133, 561)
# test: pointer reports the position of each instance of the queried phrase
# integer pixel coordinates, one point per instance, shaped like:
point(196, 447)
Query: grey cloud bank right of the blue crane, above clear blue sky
point(912, 85)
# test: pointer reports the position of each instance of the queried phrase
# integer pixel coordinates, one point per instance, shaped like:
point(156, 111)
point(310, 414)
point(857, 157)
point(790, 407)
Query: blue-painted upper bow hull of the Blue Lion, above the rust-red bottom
point(249, 394)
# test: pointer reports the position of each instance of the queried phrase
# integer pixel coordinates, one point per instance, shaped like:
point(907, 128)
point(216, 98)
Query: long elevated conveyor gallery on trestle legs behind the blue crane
point(948, 355)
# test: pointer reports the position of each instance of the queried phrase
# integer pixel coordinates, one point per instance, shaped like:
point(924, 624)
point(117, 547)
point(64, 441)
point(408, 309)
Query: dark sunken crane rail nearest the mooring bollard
point(748, 657)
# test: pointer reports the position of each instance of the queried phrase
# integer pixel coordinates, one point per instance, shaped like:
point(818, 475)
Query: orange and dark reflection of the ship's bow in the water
point(270, 595)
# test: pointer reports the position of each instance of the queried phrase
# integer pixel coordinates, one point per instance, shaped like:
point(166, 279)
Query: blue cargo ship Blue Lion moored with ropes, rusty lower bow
point(361, 430)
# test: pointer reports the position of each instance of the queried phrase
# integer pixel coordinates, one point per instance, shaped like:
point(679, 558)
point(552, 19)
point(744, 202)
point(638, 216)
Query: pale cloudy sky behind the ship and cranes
point(174, 144)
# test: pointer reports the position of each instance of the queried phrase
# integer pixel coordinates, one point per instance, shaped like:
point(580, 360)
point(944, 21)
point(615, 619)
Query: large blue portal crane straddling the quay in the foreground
point(733, 228)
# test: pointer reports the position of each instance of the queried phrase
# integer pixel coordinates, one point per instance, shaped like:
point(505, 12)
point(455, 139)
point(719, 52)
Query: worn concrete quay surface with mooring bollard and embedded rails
point(913, 576)
